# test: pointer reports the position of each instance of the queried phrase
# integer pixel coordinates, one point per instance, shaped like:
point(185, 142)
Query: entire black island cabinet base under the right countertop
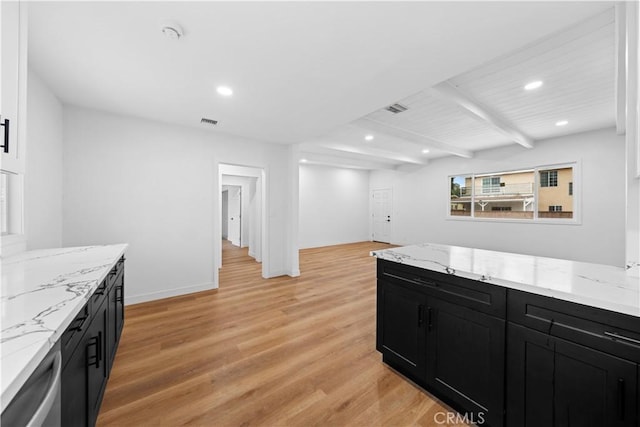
point(507, 357)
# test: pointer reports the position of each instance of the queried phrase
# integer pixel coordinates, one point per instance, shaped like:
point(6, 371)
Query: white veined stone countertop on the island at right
point(596, 285)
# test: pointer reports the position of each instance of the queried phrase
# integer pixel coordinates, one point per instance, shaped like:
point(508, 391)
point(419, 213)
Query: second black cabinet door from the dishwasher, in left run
point(96, 364)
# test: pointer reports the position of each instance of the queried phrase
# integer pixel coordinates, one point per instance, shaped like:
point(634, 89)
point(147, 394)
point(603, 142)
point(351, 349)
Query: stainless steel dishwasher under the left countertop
point(37, 403)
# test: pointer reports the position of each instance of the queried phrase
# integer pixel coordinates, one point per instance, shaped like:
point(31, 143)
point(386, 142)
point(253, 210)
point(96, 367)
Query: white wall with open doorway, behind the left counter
point(156, 187)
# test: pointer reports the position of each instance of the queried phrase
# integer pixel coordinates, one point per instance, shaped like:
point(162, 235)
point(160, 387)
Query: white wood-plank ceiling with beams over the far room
point(487, 107)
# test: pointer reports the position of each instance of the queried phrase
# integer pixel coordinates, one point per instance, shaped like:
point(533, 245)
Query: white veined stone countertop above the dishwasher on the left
point(40, 294)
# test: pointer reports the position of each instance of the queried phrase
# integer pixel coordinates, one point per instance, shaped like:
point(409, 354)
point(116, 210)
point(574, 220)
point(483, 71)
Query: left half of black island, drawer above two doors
point(443, 333)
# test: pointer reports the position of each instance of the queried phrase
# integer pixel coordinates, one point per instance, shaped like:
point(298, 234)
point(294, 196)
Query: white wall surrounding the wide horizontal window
point(420, 201)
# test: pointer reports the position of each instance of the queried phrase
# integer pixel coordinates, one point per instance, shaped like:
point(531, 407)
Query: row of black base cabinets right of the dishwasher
point(88, 348)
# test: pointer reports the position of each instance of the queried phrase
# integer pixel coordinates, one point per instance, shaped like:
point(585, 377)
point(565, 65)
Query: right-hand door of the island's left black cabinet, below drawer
point(465, 359)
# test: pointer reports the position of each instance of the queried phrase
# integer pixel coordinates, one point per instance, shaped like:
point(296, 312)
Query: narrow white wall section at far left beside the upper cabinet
point(43, 170)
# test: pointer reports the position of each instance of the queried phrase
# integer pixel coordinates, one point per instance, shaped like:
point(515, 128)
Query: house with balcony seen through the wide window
point(525, 194)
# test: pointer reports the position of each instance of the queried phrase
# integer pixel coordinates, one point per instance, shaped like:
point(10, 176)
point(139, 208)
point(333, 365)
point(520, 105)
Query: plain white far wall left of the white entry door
point(334, 206)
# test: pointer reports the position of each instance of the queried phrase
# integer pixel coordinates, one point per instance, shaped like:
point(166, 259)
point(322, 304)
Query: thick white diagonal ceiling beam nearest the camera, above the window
point(446, 91)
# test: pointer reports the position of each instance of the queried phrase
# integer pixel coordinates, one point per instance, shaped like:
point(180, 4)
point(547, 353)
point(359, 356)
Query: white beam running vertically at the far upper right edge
point(621, 71)
